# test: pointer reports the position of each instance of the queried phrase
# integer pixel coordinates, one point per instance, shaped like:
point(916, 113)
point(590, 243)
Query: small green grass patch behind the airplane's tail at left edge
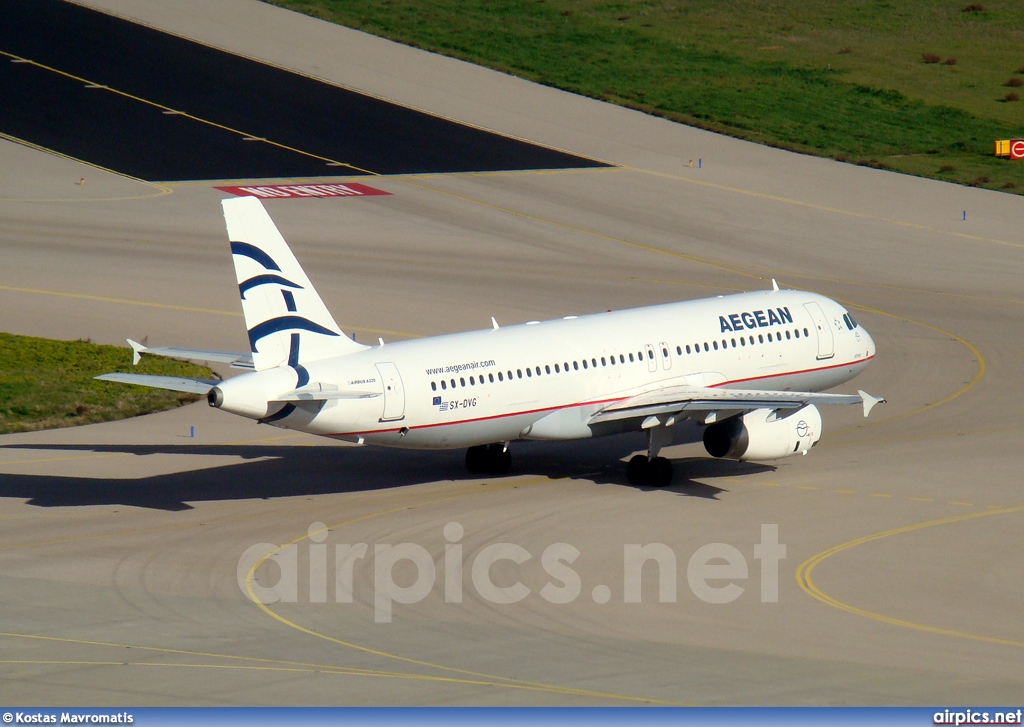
point(49, 384)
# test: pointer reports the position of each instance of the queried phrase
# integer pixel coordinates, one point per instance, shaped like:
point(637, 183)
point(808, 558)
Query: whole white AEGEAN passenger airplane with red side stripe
point(743, 373)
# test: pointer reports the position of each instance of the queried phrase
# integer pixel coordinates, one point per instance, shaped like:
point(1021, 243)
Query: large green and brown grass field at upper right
point(845, 80)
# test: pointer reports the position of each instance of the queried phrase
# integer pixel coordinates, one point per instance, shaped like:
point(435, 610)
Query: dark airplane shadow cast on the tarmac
point(293, 472)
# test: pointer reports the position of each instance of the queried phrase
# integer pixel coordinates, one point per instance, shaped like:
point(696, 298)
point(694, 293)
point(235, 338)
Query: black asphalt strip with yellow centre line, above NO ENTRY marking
point(158, 107)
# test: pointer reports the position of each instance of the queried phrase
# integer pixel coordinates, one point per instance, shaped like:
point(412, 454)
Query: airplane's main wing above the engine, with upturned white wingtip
point(687, 401)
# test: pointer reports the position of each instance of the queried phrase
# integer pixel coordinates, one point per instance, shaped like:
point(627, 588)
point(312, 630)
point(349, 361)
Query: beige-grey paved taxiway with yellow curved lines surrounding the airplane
point(124, 575)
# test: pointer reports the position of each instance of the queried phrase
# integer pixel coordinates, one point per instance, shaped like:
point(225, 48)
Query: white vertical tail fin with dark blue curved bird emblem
point(288, 323)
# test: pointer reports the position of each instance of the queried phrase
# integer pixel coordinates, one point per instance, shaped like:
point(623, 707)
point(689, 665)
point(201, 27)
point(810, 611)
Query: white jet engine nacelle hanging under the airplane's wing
point(759, 436)
